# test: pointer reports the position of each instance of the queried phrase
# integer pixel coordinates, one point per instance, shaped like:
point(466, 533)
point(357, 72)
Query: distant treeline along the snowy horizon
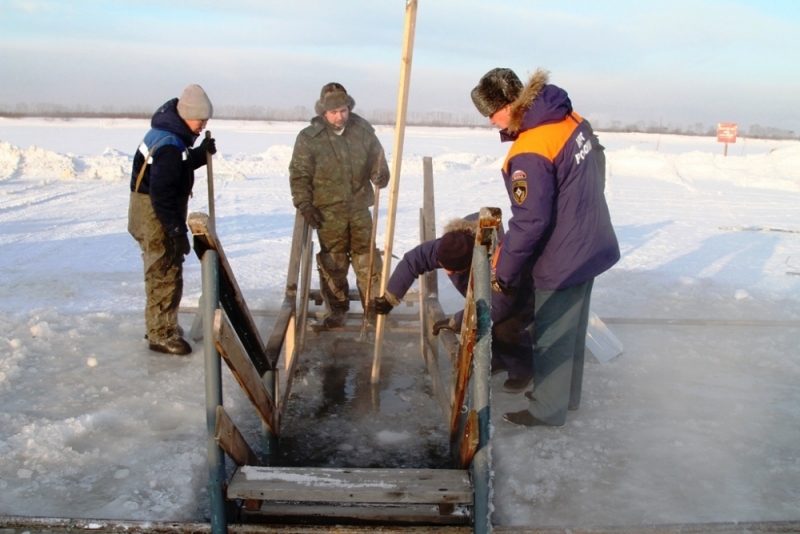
point(376, 116)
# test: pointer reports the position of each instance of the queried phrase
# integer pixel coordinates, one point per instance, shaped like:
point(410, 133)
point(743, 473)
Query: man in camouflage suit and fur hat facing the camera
point(335, 163)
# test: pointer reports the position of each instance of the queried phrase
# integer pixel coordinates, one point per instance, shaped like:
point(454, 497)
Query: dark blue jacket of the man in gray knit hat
point(169, 177)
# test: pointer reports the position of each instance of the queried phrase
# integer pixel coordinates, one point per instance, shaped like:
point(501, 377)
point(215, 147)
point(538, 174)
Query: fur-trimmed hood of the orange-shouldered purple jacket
point(538, 103)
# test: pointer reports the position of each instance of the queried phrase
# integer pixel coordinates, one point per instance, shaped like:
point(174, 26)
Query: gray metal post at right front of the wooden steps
point(480, 395)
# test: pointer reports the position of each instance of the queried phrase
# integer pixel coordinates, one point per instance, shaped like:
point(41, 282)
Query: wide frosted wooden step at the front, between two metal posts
point(356, 495)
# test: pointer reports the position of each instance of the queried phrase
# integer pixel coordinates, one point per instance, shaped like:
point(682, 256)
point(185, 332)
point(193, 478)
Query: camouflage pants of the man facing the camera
point(344, 238)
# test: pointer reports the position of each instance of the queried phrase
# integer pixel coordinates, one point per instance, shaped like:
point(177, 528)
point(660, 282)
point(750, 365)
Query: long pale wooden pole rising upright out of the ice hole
point(397, 158)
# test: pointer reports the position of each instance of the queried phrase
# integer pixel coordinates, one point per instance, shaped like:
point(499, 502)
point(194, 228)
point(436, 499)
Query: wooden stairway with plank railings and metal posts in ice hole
point(439, 498)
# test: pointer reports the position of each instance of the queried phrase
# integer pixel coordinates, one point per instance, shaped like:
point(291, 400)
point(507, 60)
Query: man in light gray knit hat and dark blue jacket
point(161, 183)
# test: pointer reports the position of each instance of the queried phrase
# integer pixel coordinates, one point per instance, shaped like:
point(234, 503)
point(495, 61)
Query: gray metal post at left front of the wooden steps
point(216, 458)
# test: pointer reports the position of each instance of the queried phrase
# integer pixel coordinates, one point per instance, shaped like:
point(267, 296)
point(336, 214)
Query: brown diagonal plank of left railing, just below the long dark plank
point(232, 351)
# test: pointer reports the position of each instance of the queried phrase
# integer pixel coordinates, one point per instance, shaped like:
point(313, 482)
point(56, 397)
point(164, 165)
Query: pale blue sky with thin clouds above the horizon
point(681, 62)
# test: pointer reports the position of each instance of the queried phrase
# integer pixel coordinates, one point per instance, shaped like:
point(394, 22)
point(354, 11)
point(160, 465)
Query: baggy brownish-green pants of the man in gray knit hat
point(163, 268)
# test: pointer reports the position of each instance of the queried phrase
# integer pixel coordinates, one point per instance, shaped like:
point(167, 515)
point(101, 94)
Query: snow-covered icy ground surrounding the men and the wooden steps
point(692, 423)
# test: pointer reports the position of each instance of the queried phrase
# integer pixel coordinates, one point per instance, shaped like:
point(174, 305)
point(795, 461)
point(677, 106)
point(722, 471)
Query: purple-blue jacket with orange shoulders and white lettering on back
point(560, 219)
